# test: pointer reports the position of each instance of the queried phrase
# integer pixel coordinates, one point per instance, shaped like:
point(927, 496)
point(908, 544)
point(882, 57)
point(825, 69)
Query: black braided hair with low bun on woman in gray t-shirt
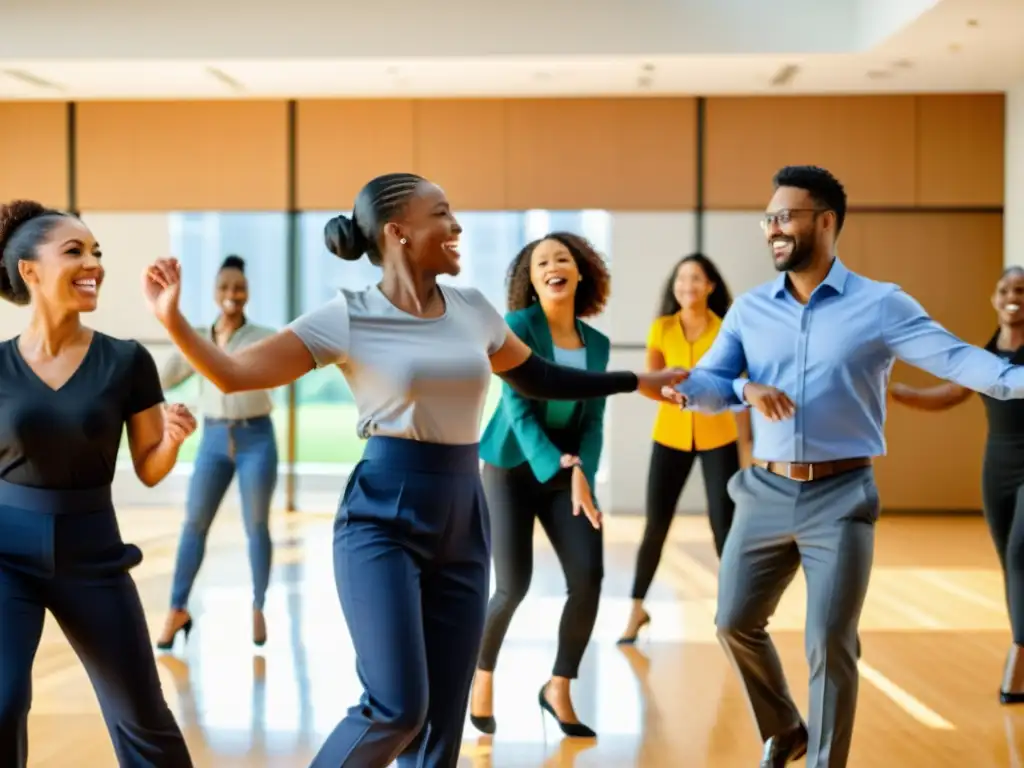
point(377, 204)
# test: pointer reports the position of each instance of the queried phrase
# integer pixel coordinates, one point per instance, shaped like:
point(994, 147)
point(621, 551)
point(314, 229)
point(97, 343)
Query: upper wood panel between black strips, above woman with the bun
point(505, 155)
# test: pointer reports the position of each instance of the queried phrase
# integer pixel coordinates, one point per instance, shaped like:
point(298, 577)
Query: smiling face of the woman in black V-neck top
point(67, 273)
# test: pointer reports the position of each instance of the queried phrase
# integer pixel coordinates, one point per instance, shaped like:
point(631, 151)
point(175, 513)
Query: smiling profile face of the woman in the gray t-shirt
point(431, 230)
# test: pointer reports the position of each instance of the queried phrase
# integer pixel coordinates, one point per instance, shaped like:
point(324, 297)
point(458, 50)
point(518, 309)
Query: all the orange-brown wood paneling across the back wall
point(925, 172)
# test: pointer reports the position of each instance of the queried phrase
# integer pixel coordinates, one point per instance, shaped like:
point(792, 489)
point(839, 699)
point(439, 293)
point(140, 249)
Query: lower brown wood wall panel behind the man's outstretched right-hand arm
point(934, 460)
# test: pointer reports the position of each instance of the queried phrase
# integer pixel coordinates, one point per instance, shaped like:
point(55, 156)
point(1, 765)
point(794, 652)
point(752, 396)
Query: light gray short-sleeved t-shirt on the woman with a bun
point(423, 379)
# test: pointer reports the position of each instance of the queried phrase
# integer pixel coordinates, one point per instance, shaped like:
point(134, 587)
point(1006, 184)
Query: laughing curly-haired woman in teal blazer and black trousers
point(541, 459)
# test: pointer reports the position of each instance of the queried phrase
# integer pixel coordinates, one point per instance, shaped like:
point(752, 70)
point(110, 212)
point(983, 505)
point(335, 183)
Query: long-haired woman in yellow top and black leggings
point(696, 300)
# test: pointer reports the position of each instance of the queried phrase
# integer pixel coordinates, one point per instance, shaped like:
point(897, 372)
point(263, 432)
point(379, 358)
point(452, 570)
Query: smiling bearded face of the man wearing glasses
point(796, 227)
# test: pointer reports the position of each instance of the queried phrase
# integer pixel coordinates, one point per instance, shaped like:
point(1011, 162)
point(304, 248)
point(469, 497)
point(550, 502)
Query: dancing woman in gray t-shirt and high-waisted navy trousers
point(412, 536)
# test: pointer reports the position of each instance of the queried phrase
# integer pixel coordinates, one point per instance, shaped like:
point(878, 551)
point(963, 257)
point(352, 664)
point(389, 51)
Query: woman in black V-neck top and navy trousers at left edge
point(66, 395)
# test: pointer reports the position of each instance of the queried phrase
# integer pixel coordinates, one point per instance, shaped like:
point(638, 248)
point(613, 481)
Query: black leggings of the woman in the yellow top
point(668, 474)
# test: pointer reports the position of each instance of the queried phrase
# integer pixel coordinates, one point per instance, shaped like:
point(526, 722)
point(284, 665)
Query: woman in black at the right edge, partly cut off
point(1003, 472)
